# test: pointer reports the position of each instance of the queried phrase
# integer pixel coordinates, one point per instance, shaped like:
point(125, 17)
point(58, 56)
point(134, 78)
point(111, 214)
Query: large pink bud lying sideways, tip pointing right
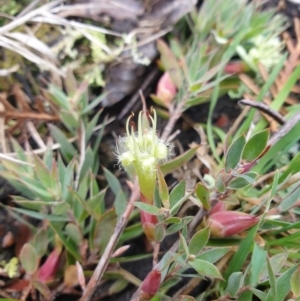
point(228, 223)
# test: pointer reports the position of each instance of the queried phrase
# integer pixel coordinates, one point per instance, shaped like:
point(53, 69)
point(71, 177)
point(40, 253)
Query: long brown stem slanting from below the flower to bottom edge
point(104, 260)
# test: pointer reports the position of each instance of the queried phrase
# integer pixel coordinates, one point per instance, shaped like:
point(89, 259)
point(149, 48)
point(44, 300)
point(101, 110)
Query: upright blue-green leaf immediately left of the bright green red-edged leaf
point(234, 153)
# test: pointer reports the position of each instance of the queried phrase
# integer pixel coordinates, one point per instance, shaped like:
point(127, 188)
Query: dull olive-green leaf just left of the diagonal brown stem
point(104, 229)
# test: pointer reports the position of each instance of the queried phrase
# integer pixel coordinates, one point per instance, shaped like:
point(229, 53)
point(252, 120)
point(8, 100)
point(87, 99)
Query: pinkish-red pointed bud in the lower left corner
point(49, 268)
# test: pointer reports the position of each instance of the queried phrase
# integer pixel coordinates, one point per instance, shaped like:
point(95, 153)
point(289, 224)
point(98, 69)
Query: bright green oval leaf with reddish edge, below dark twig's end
point(255, 146)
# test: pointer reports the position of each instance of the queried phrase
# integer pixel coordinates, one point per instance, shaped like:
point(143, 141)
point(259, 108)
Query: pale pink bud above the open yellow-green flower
point(166, 90)
